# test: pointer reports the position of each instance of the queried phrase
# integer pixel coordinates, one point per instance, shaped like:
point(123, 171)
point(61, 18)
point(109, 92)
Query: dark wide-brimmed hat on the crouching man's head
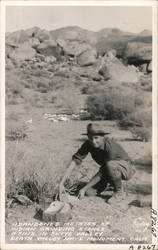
point(95, 129)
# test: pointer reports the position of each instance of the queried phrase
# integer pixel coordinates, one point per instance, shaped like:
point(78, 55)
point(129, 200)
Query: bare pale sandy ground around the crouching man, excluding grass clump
point(126, 223)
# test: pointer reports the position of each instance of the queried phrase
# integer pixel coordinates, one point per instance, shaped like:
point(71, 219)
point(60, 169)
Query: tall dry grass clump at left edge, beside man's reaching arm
point(30, 172)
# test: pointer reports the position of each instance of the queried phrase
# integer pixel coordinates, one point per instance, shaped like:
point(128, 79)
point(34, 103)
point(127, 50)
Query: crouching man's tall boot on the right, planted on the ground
point(119, 194)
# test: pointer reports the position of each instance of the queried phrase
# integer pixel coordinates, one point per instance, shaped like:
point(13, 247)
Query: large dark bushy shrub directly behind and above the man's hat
point(110, 105)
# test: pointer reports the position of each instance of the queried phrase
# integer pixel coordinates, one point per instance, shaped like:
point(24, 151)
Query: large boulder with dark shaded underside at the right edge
point(138, 51)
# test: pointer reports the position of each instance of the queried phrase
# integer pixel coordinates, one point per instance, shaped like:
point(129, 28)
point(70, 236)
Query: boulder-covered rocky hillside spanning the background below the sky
point(78, 45)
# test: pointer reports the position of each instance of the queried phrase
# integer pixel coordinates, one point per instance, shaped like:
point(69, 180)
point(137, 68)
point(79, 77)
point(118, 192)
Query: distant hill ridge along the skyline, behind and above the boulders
point(103, 40)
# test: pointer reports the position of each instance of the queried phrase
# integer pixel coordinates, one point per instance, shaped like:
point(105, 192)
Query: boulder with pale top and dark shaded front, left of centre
point(49, 48)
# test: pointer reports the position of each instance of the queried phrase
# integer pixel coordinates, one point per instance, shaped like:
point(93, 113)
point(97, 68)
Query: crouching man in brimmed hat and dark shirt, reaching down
point(114, 164)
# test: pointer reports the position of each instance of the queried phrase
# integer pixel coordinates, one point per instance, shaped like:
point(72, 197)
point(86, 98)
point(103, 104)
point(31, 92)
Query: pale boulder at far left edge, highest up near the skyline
point(17, 37)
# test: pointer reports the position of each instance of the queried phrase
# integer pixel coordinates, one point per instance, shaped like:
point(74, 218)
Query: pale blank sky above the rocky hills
point(131, 18)
